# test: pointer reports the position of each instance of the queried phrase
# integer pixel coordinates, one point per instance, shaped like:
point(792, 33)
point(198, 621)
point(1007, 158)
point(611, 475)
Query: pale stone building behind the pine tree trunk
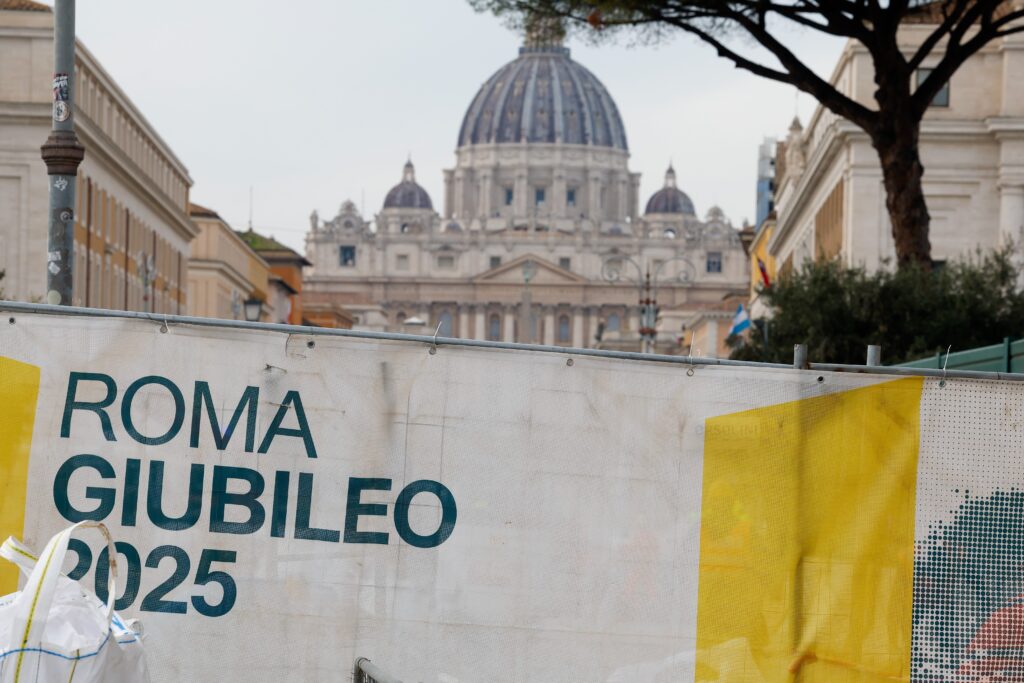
point(830, 197)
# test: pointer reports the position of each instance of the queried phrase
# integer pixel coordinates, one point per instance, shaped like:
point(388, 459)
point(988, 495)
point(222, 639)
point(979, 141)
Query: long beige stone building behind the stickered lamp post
point(133, 229)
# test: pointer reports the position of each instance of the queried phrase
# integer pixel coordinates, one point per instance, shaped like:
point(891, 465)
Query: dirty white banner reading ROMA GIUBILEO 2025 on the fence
point(286, 503)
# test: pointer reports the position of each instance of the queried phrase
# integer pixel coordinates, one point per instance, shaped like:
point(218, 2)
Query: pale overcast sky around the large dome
point(315, 102)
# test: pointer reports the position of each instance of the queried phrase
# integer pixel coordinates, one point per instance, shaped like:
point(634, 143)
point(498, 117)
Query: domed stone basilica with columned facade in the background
point(540, 238)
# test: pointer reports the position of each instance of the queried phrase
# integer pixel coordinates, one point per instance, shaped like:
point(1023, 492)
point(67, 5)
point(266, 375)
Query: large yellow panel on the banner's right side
point(807, 539)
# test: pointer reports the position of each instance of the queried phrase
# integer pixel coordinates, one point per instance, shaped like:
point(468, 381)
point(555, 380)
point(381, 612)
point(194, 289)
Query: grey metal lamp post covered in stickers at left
point(63, 154)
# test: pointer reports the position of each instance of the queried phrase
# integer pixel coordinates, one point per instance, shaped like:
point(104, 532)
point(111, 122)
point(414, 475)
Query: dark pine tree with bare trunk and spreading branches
point(956, 31)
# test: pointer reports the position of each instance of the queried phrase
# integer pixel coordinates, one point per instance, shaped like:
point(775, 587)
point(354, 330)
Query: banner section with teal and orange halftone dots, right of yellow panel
point(969, 556)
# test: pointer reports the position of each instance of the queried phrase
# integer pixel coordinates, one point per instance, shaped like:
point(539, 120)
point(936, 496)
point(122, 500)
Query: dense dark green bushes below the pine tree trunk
point(912, 312)
